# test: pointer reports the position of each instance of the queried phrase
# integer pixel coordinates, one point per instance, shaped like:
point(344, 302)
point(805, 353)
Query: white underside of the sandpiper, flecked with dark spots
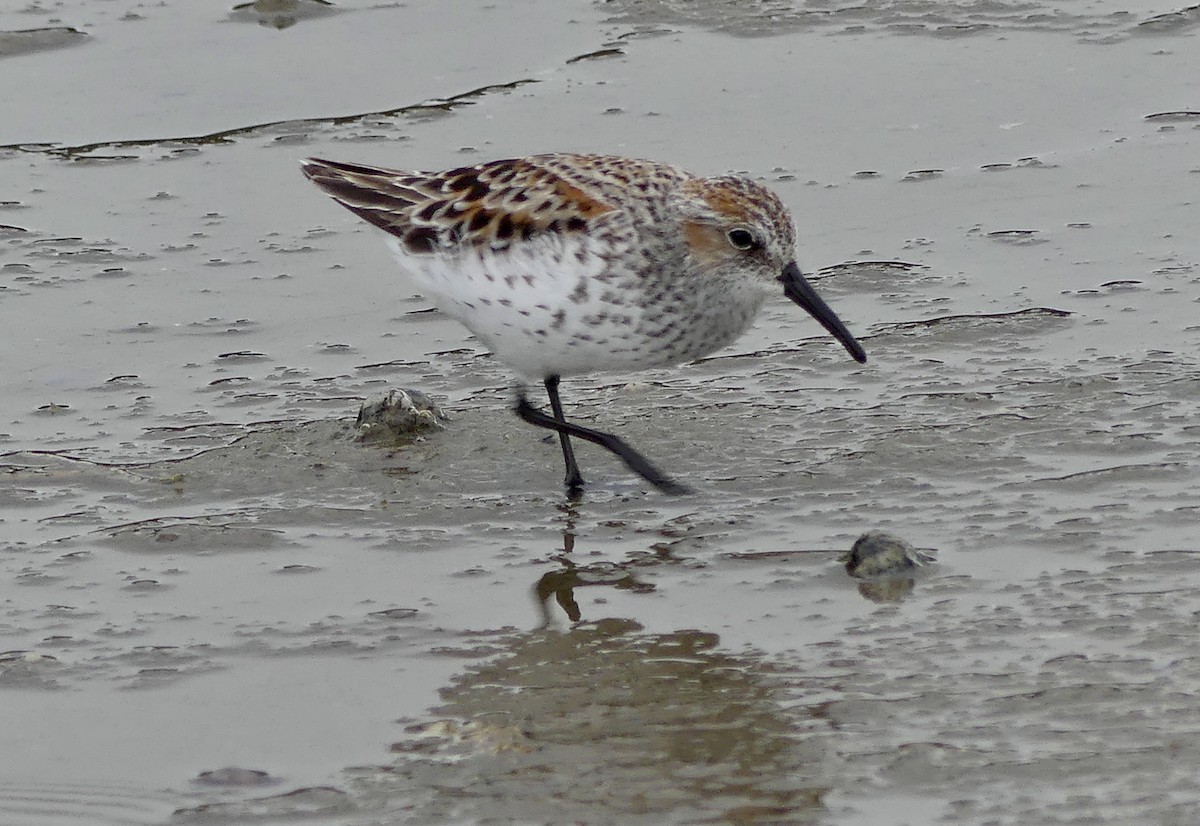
point(560, 309)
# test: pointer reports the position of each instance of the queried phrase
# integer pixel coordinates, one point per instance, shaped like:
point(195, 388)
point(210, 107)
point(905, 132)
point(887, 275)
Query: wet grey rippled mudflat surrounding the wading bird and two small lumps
point(218, 608)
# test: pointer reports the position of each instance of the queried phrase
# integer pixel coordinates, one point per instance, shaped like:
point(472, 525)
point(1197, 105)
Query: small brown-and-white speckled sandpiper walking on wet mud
point(568, 264)
